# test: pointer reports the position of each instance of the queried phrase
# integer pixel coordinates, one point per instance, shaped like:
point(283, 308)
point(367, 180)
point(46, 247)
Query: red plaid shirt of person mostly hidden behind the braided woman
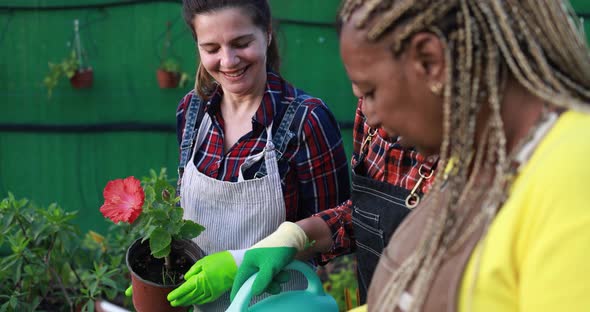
point(384, 161)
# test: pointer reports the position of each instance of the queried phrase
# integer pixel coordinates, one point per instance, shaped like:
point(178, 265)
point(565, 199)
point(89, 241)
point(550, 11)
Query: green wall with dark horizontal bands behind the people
point(124, 43)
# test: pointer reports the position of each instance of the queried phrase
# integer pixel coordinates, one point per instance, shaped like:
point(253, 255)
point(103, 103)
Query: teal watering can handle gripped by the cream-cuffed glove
point(244, 295)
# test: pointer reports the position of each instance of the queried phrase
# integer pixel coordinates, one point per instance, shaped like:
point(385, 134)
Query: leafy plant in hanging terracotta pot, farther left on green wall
point(80, 77)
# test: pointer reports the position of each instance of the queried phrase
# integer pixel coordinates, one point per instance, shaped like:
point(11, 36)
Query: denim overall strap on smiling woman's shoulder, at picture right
point(284, 134)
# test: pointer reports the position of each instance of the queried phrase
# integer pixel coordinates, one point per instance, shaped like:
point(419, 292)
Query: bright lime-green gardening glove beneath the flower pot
point(206, 280)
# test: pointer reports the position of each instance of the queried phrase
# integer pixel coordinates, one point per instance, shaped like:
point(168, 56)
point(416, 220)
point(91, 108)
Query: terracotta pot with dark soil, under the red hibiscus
point(149, 294)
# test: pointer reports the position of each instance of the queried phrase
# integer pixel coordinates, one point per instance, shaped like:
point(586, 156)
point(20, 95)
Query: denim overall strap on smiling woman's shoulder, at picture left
point(188, 136)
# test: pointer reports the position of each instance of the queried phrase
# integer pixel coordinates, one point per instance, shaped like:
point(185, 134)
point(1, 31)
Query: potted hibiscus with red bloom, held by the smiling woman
point(161, 255)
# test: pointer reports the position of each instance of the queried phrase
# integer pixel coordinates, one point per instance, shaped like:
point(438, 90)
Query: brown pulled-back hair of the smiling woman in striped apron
point(258, 10)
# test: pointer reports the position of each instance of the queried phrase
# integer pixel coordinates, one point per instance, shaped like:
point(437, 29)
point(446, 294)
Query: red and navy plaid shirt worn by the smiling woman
point(314, 176)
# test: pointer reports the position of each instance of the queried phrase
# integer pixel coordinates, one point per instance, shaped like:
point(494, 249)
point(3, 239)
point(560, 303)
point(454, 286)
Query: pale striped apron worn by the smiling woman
point(235, 215)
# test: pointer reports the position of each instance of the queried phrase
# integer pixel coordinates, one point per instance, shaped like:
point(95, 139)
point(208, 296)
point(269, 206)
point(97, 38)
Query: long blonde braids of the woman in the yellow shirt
point(538, 42)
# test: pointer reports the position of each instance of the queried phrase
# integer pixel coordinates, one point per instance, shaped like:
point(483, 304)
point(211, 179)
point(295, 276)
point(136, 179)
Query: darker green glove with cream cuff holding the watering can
point(268, 257)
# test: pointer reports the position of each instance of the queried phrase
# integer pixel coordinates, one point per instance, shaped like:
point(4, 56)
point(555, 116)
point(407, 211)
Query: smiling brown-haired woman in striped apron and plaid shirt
point(255, 150)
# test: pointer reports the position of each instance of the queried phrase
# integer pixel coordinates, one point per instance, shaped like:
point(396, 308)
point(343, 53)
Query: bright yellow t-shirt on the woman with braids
point(536, 255)
